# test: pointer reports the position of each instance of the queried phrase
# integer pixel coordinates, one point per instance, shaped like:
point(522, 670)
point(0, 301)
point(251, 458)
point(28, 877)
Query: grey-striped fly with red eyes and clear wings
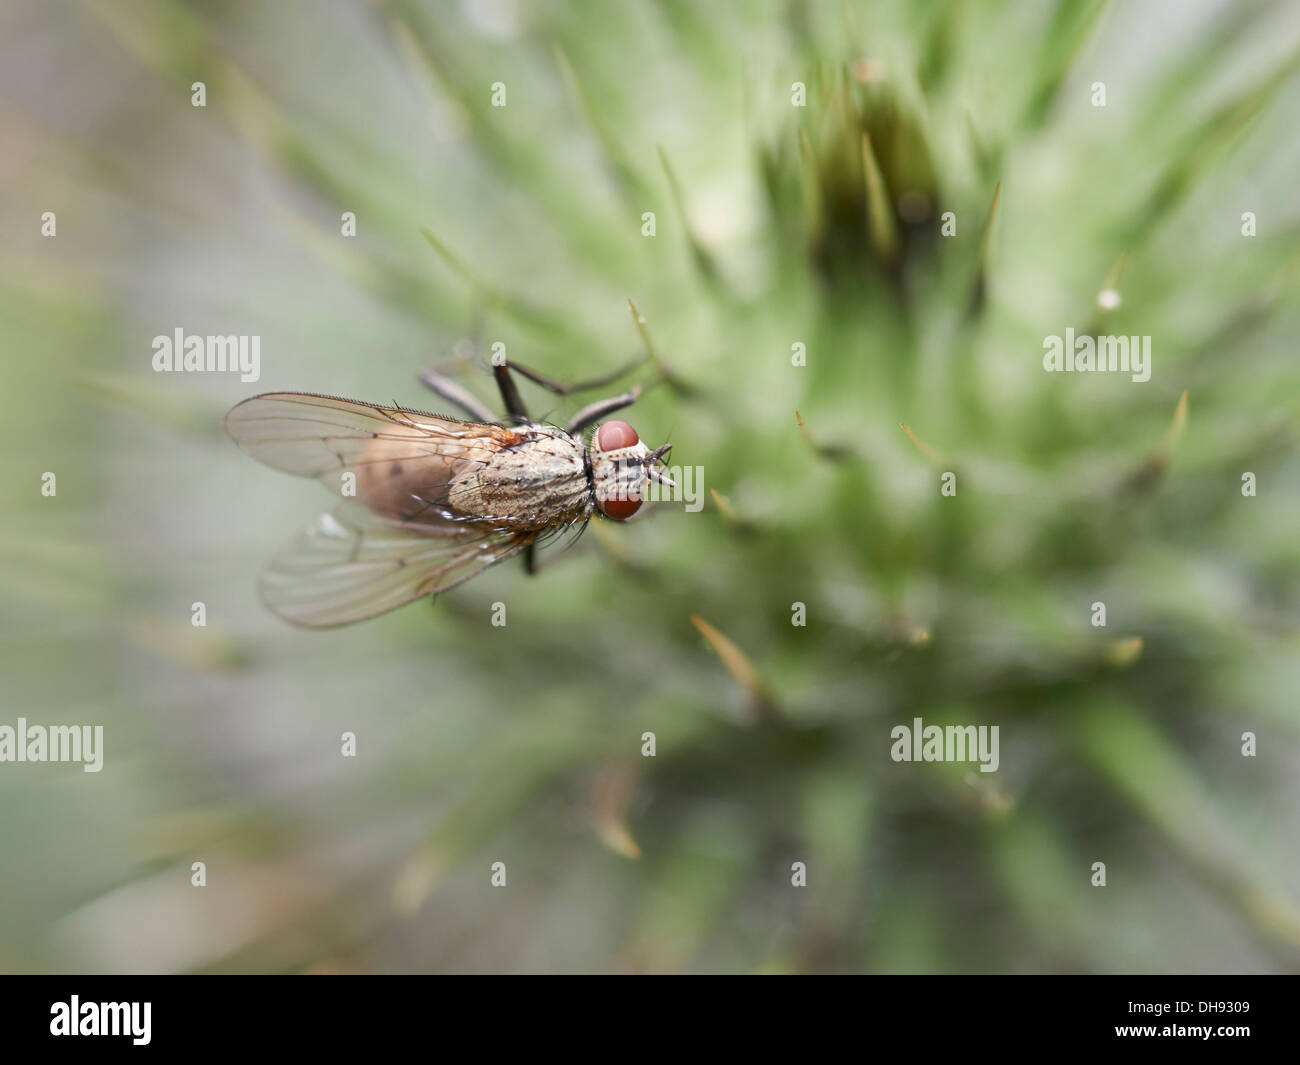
point(431, 501)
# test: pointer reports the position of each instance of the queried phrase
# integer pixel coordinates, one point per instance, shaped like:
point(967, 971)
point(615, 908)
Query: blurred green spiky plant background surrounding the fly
point(774, 226)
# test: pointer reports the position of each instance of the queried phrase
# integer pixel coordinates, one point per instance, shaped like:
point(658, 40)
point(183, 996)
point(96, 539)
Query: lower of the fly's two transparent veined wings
point(356, 564)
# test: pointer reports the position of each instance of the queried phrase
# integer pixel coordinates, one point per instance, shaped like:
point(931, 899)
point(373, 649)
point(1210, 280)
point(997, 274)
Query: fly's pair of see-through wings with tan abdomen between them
point(400, 538)
